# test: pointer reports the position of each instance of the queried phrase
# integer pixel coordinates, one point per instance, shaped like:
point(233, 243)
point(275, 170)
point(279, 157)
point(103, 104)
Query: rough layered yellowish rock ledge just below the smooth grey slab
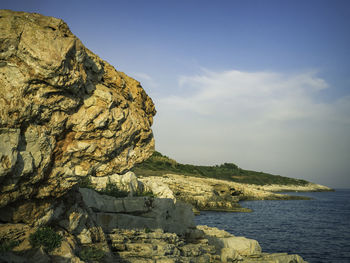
point(157, 246)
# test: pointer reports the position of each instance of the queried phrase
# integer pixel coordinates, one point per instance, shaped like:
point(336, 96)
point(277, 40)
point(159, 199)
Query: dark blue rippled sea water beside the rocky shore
point(318, 229)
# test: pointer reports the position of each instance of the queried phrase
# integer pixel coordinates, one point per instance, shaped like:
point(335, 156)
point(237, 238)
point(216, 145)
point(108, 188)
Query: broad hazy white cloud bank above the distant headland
point(261, 120)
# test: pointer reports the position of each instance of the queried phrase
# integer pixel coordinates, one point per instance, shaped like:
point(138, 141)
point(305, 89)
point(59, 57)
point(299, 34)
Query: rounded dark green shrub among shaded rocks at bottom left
point(47, 238)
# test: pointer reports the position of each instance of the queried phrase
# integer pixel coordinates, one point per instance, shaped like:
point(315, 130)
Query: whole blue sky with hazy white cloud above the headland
point(264, 84)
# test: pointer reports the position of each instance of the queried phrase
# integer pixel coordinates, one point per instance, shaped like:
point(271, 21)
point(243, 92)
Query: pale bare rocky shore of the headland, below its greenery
point(208, 194)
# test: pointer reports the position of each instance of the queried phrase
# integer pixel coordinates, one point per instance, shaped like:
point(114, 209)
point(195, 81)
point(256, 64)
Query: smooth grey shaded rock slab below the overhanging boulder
point(139, 212)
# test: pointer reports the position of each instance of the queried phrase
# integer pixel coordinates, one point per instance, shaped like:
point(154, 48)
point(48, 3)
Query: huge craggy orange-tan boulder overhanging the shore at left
point(64, 114)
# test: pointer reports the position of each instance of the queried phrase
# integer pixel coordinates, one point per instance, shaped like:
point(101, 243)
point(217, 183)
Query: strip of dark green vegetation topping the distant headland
point(158, 165)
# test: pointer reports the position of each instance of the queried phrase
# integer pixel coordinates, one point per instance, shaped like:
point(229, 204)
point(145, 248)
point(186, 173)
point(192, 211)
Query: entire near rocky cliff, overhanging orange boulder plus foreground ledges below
point(71, 128)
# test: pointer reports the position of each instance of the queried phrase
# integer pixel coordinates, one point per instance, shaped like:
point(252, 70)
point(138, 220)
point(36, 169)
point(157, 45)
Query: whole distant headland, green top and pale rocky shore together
point(219, 187)
